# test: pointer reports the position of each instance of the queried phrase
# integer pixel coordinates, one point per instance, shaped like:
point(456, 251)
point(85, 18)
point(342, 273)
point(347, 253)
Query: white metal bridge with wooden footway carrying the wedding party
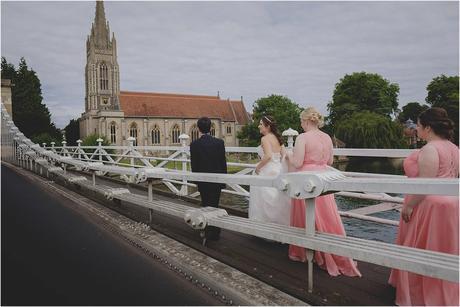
point(145, 195)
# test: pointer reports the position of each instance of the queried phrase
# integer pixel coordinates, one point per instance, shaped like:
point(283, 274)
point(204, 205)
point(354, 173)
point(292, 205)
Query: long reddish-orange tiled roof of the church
point(182, 106)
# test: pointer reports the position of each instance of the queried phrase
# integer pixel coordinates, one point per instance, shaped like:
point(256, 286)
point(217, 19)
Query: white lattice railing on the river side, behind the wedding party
point(178, 157)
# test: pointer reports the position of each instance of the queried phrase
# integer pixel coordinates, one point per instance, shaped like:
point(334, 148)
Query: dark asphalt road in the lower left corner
point(52, 255)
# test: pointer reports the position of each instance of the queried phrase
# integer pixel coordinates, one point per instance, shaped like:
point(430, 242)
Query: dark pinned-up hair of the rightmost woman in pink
point(440, 123)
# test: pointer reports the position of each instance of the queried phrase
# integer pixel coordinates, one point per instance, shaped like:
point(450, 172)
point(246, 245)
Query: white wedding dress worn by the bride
point(269, 204)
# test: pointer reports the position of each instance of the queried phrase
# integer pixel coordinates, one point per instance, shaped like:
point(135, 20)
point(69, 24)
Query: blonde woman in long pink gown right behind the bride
point(313, 151)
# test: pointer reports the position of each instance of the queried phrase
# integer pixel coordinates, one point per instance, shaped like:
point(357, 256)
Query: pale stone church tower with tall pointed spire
point(102, 77)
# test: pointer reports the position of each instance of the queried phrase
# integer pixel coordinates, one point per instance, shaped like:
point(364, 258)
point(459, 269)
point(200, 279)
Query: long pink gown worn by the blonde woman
point(318, 150)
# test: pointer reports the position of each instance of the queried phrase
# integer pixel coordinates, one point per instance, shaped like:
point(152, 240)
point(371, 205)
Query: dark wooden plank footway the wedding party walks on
point(268, 261)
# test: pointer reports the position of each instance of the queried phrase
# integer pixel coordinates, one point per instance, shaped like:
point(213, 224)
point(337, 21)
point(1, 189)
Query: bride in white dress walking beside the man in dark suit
point(268, 204)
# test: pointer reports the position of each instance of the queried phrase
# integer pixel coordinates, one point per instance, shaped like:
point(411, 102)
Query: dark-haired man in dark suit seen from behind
point(207, 155)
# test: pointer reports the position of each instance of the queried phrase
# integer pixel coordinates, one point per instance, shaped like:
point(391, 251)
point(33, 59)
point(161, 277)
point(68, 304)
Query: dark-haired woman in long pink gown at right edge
point(429, 221)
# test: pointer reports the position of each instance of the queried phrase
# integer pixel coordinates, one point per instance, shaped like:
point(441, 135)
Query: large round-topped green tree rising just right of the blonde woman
point(362, 91)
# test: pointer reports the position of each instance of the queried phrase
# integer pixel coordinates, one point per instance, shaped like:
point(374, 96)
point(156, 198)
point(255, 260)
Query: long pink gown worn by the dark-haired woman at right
point(432, 226)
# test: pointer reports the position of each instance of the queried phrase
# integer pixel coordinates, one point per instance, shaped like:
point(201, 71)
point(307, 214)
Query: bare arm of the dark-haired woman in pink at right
point(428, 167)
